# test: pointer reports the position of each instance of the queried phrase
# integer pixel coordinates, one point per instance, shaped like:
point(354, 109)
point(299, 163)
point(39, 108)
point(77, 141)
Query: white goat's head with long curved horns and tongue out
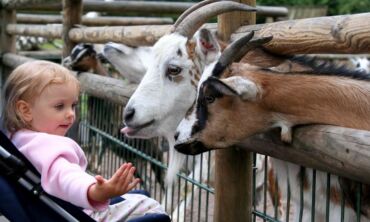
point(168, 88)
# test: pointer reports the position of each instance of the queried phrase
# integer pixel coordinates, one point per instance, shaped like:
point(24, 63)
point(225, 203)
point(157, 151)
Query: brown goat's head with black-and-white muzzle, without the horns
point(220, 119)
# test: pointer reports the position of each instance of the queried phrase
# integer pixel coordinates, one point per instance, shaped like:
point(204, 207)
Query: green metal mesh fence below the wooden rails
point(191, 198)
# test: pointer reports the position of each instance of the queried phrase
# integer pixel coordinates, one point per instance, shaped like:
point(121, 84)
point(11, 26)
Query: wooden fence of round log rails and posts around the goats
point(335, 34)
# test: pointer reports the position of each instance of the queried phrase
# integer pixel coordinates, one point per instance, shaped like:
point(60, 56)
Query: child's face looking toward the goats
point(53, 111)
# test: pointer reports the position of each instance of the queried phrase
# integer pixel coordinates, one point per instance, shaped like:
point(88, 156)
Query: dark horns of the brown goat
point(236, 50)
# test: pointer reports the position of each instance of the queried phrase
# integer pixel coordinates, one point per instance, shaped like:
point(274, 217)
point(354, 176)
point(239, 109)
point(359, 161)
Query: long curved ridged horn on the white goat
point(197, 18)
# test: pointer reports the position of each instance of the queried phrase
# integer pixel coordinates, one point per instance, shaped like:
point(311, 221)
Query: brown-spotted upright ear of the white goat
point(207, 45)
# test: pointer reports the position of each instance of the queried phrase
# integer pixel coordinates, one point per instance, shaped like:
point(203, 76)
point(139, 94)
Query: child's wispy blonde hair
point(27, 82)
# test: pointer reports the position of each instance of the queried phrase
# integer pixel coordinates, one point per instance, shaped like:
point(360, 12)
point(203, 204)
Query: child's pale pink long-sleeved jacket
point(61, 163)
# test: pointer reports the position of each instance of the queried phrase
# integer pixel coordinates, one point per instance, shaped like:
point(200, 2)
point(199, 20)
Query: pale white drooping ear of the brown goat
point(244, 88)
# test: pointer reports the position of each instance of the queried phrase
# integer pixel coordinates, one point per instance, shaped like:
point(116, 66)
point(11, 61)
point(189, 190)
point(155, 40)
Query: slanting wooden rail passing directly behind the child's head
point(114, 90)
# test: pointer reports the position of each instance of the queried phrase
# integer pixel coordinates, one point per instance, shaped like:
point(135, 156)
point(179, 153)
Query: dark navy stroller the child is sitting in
point(22, 197)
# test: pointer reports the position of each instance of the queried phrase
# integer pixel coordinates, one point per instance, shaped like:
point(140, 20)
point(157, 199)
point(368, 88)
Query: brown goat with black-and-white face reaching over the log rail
point(248, 100)
